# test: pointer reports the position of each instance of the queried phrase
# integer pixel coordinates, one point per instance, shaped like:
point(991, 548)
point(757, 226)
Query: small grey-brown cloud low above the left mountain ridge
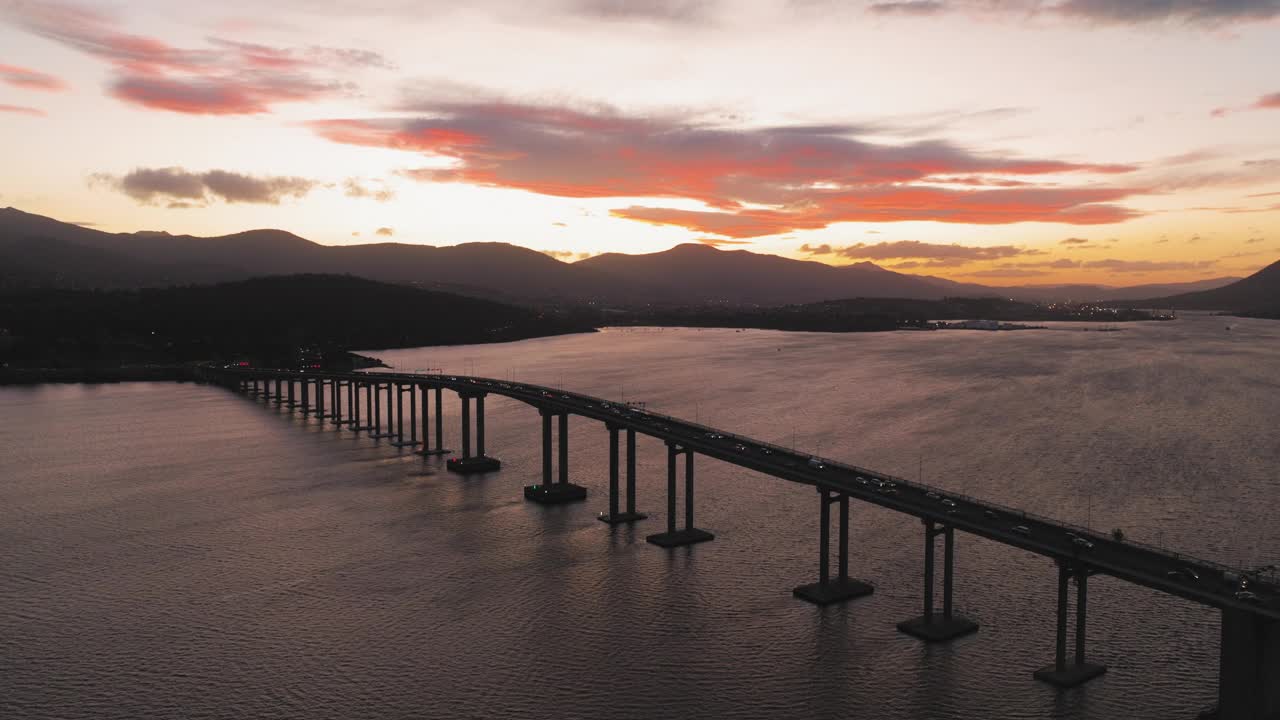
point(182, 189)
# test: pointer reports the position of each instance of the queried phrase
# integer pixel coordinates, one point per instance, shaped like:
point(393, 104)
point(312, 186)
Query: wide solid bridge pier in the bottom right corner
point(1249, 686)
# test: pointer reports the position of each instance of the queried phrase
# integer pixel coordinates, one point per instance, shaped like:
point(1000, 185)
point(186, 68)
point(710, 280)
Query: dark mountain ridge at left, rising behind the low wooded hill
point(150, 259)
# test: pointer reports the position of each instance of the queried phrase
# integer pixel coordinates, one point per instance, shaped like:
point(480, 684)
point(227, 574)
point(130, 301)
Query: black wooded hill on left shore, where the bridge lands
point(271, 322)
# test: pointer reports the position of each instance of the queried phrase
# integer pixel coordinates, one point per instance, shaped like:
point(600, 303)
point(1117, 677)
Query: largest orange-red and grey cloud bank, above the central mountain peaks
point(761, 181)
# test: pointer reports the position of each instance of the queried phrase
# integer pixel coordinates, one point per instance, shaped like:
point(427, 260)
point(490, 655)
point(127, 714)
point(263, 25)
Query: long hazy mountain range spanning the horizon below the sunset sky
point(39, 252)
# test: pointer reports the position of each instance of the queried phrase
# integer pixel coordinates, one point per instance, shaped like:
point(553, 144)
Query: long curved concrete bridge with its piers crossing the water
point(400, 407)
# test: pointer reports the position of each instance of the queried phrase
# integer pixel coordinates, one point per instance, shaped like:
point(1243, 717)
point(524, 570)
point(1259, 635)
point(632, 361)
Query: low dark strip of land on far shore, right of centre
point(868, 315)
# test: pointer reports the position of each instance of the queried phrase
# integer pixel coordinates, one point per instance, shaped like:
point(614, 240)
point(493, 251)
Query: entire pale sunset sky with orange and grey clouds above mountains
point(995, 142)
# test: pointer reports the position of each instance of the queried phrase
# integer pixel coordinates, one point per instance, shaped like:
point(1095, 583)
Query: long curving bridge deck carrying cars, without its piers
point(1150, 567)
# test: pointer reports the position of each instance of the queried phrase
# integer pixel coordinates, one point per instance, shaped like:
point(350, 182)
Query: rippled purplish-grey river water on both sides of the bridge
point(180, 552)
